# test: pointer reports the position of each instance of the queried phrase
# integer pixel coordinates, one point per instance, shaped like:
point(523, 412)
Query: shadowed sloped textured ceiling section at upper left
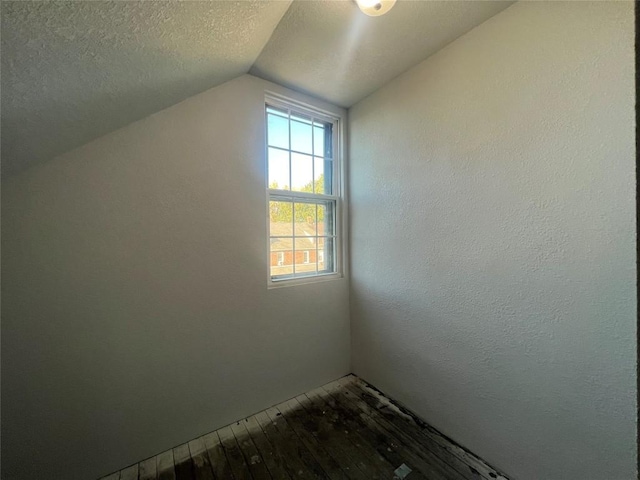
point(73, 71)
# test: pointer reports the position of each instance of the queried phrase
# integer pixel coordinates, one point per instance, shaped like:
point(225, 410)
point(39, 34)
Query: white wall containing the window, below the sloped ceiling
point(135, 313)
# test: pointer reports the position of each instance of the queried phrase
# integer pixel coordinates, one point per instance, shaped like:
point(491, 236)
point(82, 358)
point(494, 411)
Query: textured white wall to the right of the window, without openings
point(493, 240)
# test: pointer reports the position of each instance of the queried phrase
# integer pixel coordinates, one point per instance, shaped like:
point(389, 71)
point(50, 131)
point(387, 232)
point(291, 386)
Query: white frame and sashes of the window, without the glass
point(338, 193)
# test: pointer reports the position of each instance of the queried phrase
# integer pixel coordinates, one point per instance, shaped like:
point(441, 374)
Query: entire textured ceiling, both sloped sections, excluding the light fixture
point(73, 71)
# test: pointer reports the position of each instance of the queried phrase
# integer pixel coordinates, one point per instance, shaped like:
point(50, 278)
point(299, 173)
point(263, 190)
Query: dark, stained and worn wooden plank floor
point(344, 430)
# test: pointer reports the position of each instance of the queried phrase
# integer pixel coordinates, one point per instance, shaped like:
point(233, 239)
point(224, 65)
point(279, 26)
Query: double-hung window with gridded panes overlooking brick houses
point(303, 192)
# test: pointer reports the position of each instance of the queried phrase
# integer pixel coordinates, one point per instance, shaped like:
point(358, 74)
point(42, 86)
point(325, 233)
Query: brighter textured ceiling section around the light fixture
point(332, 51)
